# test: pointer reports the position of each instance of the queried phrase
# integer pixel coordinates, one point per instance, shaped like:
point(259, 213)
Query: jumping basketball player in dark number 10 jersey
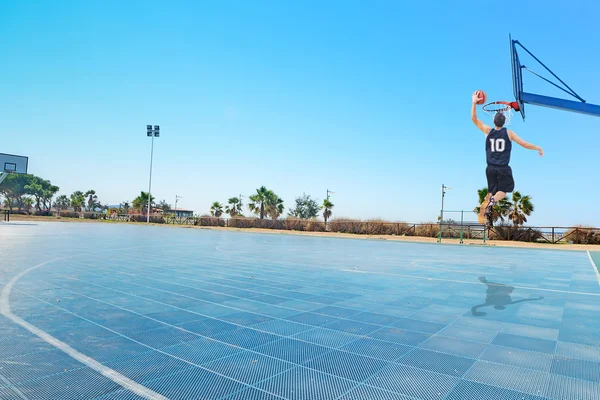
point(498, 146)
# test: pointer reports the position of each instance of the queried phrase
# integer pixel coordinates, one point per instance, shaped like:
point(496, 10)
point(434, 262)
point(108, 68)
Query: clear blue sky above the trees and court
point(368, 99)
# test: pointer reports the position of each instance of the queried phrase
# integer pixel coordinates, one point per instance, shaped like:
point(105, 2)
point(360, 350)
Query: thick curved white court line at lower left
point(90, 362)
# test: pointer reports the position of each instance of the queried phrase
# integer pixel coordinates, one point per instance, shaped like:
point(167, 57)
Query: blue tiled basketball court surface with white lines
point(116, 311)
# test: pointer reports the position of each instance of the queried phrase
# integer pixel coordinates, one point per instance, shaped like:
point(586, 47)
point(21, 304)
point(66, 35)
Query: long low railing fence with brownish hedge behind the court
point(464, 230)
